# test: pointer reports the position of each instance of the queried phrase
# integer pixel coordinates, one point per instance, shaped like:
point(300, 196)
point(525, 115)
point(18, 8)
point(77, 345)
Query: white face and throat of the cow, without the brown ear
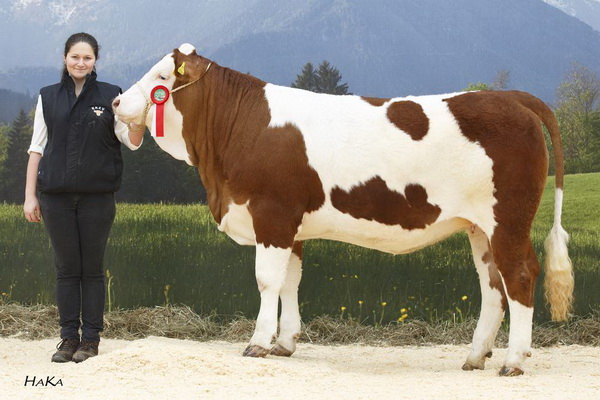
point(133, 102)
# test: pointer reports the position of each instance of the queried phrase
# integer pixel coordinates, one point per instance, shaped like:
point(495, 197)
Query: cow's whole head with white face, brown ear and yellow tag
point(174, 71)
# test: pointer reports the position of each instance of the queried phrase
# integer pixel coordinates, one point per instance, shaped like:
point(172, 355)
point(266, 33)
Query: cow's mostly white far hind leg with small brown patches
point(493, 300)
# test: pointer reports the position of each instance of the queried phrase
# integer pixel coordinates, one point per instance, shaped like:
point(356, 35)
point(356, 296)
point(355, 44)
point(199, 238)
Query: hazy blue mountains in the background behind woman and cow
point(382, 47)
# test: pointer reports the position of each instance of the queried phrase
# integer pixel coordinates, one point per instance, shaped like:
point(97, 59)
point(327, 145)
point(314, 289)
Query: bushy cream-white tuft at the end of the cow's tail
point(559, 281)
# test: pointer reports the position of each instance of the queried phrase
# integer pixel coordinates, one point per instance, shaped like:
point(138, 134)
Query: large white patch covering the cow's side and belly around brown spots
point(350, 141)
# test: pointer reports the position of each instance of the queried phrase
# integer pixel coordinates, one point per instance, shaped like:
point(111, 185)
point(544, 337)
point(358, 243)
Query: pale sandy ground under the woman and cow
point(161, 368)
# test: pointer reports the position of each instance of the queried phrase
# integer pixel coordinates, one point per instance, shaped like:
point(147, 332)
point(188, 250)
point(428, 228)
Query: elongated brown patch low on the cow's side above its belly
point(375, 201)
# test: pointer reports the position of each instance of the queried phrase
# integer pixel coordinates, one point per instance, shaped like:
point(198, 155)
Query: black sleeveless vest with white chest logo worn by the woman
point(82, 155)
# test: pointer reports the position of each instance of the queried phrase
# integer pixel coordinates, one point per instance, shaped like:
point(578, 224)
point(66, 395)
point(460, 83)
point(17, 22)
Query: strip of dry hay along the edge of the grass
point(181, 322)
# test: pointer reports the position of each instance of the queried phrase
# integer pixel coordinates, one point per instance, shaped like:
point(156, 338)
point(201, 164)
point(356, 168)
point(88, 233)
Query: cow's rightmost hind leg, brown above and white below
point(519, 269)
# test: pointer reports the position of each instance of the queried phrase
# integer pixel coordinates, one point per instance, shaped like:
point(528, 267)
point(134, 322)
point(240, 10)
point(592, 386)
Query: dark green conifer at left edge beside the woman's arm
point(15, 163)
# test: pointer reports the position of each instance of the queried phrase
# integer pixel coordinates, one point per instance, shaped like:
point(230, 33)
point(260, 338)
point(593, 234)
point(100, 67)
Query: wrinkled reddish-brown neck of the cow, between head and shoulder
point(230, 113)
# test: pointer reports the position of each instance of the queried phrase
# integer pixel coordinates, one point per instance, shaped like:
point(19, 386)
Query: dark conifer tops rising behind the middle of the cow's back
point(325, 79)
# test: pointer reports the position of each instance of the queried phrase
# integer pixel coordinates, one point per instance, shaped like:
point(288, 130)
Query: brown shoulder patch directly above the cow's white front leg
point(280, 184)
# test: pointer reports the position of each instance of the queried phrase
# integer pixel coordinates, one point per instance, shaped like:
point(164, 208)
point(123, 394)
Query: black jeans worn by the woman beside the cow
point(78, 225)
